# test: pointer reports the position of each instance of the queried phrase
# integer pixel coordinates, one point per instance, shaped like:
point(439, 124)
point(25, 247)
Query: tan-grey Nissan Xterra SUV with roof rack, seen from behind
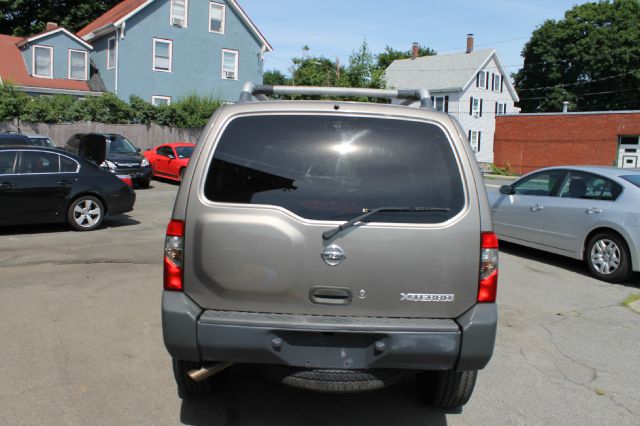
point(340, 244)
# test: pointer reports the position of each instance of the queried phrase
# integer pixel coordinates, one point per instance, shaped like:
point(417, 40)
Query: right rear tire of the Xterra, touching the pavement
point(446, 389)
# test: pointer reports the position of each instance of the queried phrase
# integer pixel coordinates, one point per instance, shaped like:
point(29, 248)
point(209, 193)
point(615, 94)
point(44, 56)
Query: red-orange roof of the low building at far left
point(14, 70)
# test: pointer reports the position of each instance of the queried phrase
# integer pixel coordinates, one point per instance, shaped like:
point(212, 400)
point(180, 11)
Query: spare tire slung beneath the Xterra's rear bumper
point(333, 380)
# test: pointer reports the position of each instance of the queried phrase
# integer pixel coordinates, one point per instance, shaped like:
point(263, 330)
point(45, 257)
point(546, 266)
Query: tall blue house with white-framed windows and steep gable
point(164, 50)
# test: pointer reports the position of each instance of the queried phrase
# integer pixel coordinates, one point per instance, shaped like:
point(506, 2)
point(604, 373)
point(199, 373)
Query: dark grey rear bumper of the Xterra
point(328, 342)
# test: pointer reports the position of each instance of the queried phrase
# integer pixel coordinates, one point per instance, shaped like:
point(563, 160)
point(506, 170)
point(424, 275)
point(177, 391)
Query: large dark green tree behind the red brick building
point(591, 58)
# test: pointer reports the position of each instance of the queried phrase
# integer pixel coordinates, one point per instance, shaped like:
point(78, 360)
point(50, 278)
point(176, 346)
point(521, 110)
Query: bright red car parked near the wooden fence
point(170, 160)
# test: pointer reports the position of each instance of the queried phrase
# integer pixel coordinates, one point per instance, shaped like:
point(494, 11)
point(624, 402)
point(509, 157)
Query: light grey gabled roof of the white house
point(439, 73)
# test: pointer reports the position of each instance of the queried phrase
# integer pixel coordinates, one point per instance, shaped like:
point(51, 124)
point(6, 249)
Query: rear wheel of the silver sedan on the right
point(601, 250)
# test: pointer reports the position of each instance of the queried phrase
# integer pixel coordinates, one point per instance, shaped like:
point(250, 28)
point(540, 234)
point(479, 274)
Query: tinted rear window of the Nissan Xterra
point(331, 168)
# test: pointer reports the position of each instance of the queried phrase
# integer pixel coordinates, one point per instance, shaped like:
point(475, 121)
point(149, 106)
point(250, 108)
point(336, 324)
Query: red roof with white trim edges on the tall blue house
point(124, 10)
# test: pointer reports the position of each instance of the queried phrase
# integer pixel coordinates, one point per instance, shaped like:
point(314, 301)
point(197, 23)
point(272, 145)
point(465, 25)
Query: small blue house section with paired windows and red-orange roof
point(52, 62)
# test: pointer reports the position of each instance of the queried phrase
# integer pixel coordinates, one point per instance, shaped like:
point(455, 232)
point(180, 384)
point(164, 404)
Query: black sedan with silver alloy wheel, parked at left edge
point(44, 185)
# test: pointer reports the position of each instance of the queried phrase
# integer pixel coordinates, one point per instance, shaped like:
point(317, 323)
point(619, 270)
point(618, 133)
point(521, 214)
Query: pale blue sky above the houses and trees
point(335, 28)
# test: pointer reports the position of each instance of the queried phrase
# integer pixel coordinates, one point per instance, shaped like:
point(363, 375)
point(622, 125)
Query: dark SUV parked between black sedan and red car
point(113, 152)
